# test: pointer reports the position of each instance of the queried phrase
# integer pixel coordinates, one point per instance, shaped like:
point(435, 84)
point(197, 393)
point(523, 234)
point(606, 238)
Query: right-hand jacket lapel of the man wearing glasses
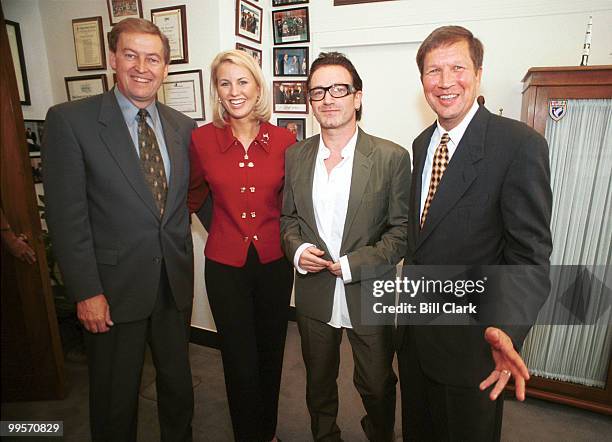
point(362, 165)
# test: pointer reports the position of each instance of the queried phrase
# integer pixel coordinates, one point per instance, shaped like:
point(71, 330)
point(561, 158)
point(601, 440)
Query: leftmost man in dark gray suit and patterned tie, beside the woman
point(116, 178)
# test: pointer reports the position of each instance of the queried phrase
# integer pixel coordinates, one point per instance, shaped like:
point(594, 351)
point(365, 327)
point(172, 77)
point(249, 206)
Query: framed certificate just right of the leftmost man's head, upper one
point(172, 21)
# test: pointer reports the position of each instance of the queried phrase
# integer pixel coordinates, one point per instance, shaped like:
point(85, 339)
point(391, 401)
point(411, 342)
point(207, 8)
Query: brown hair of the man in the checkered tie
point(446, 36)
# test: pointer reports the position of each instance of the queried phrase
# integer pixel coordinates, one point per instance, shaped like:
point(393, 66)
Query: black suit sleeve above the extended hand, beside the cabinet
point(526, 205)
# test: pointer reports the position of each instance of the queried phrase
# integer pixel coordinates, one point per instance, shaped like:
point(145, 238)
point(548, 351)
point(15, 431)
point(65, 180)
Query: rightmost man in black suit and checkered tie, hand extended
point(480, 196)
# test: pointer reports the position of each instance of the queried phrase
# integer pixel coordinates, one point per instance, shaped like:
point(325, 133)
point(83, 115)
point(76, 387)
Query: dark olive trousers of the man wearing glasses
point(373, 377)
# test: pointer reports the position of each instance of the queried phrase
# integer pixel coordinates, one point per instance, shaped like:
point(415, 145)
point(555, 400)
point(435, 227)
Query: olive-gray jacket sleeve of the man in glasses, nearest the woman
point(291, 238)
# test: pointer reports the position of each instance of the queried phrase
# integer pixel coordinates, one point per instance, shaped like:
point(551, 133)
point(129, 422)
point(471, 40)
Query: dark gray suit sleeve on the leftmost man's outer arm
point(67, 212)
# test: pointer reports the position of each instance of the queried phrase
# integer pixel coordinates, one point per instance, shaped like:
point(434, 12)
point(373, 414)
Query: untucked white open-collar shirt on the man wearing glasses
point(330, 195)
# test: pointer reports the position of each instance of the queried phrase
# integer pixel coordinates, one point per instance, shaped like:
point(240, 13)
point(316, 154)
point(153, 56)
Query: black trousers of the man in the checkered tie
point(437, 412)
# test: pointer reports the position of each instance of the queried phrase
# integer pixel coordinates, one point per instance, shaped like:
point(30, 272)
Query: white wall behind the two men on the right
point(517, 35)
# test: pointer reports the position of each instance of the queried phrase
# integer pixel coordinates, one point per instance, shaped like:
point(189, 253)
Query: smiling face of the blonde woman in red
point(237, 90)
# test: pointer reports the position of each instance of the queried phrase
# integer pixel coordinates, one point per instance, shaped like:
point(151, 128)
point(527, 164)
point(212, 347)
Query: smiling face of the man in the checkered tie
point(450, 82)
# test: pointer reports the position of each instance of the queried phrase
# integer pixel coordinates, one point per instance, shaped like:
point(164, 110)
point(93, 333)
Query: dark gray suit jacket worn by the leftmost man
point(107, 234)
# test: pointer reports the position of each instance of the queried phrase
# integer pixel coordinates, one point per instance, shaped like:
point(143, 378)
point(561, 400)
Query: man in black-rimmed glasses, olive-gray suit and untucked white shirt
point(345, 207)
